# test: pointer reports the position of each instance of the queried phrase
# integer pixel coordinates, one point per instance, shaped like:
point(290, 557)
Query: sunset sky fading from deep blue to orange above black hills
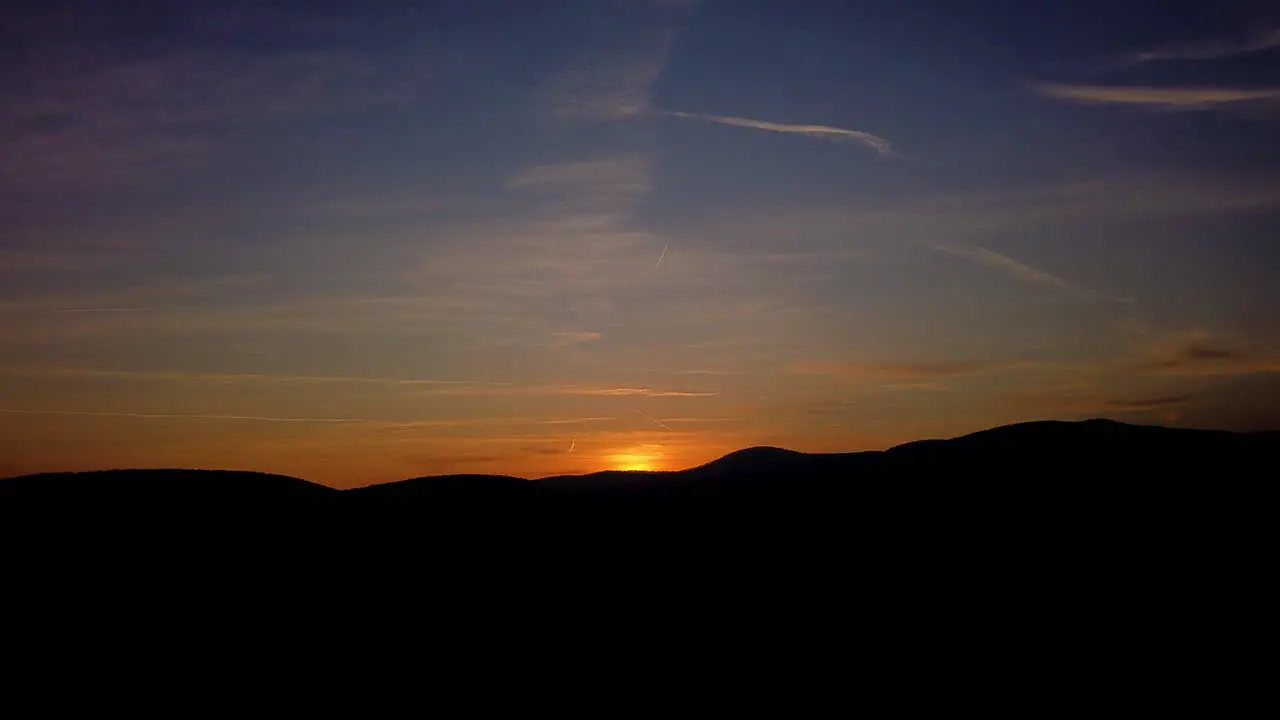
point(363, 243)
